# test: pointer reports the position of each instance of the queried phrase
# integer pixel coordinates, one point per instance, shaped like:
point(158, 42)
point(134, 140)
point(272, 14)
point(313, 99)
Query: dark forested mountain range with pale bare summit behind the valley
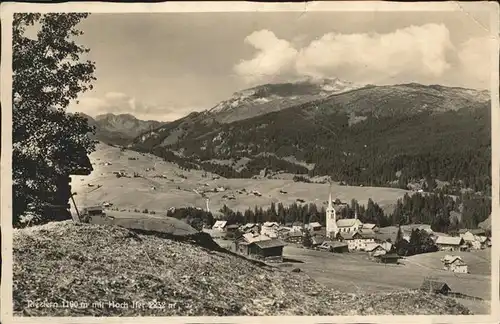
point(386, 135)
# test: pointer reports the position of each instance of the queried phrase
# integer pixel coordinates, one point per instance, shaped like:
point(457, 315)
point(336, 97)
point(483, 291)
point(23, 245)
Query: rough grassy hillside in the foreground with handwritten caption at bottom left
point(95, 263)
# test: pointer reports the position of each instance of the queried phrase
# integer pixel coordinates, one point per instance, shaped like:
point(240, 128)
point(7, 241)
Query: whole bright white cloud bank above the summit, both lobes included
point(414, 52)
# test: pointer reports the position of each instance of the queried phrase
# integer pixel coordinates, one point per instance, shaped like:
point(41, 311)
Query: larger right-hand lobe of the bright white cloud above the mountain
point(415, 50)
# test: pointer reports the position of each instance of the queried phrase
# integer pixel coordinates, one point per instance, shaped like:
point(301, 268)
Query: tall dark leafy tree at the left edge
point(47, 76)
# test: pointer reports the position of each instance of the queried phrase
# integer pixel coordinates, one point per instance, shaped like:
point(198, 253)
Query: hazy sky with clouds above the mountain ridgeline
point(163, 66)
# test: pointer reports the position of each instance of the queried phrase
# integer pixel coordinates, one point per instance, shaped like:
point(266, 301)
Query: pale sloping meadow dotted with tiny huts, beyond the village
point(161, 185)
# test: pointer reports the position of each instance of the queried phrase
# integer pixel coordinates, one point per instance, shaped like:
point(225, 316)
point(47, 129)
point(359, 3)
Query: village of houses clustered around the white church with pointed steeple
point(266, 241)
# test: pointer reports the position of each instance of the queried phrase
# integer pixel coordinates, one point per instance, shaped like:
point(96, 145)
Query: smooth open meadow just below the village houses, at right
point(354, 272)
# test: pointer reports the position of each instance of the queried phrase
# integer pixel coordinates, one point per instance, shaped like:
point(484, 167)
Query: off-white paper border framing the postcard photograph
point(229, 6)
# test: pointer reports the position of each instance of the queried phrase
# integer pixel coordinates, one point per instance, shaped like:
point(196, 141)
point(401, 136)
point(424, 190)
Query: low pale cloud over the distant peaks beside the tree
point(120, 103)
